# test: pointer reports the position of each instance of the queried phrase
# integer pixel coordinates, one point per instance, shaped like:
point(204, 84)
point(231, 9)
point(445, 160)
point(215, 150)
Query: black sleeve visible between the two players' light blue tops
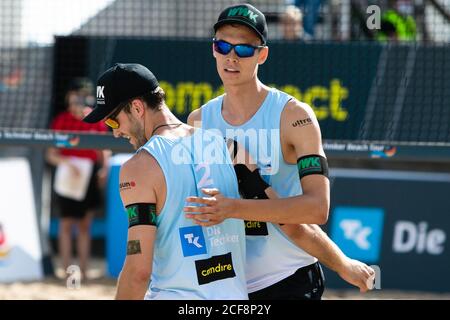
point(251, 184)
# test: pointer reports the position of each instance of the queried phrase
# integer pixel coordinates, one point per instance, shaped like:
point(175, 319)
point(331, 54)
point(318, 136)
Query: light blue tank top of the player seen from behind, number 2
point(190, 261)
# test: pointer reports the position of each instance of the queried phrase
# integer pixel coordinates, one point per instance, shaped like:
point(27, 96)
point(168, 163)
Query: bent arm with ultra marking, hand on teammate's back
point(311, 207)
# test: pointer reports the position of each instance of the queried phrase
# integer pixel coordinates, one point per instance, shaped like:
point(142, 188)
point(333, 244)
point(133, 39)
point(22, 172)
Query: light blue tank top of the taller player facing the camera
point(271, 255)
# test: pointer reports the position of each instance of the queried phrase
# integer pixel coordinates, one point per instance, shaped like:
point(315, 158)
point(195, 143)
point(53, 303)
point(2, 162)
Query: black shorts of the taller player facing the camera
point(306, 283)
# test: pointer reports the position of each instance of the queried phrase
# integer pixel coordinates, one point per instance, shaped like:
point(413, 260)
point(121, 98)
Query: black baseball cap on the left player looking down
point(119, 84)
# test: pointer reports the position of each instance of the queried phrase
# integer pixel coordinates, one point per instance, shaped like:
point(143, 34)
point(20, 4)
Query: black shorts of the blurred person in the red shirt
point(70, 208)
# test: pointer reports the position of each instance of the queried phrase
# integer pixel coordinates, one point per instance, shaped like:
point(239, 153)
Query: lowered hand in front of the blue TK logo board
point(358, 274)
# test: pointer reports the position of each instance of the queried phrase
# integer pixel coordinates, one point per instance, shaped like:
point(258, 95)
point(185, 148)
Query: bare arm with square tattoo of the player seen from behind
point(138, 186)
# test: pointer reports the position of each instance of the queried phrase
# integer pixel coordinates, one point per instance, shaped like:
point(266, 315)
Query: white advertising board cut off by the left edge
point(20, 249)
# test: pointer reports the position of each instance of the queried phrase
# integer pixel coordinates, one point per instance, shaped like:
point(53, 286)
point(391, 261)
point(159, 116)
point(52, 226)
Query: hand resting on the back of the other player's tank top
point(212, 210)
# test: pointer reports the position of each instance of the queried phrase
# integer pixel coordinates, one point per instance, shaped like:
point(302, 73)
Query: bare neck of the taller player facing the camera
point(243, 101)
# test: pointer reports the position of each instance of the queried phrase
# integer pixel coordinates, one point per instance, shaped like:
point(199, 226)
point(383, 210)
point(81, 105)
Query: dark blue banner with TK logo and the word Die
point(397, 221)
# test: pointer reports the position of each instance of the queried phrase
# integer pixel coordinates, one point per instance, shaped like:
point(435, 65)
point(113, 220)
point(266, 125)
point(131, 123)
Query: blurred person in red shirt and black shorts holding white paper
point(75, 210)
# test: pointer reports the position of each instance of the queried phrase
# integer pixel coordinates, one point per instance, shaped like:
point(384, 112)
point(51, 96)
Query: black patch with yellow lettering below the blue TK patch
point(215, 268)
